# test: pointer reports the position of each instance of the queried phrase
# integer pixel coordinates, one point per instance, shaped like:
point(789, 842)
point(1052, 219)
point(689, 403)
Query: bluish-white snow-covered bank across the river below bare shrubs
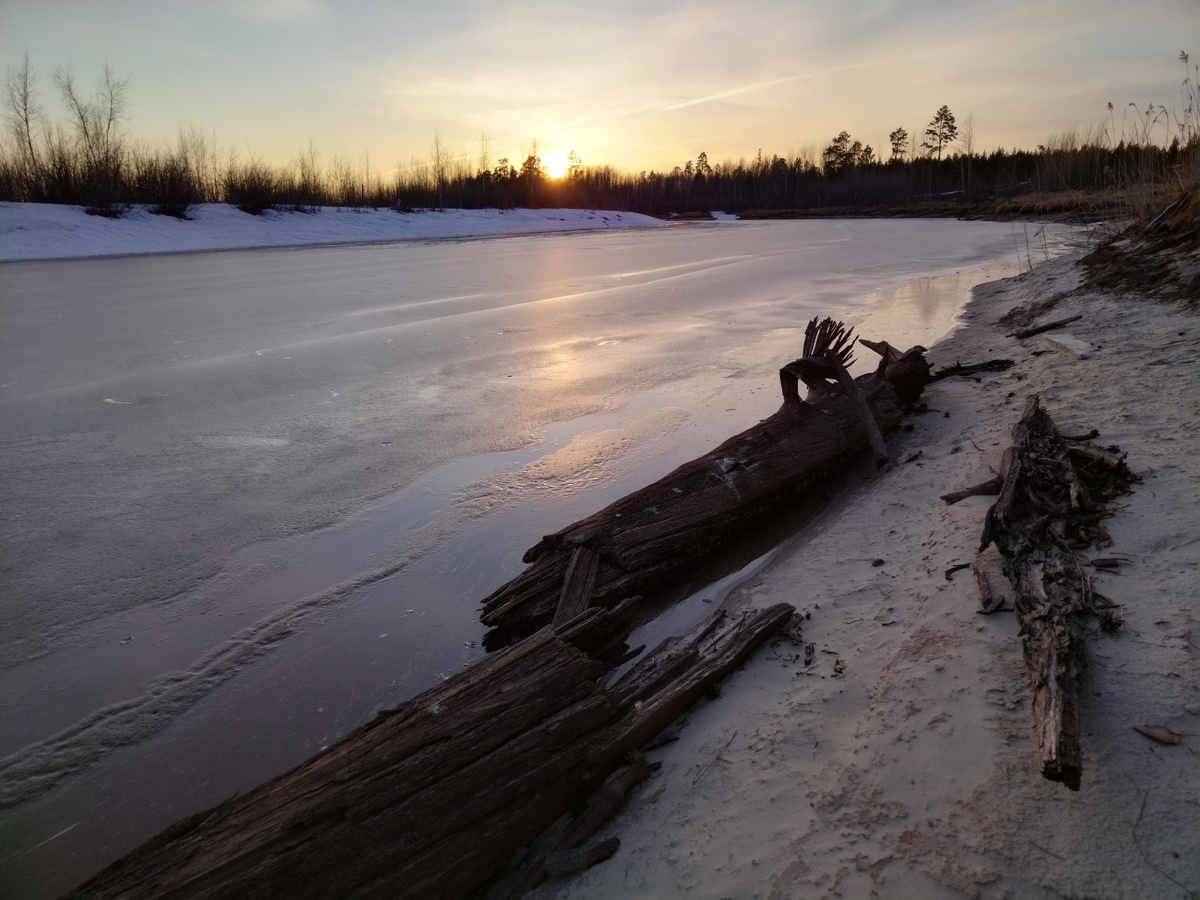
point(40, 231)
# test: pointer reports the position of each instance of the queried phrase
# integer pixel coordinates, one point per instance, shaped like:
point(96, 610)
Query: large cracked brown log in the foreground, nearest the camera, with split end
point(435, 797)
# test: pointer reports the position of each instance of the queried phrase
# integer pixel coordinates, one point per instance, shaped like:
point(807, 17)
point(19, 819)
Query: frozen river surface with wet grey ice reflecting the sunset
point(253, 497)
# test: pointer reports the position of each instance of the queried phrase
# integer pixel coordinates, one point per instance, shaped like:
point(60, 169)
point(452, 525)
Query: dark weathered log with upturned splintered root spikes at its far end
point(657, 535)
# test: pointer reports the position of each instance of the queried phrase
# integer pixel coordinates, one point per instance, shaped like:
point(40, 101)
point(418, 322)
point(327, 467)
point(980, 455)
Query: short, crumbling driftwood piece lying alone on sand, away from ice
point(1051, 509)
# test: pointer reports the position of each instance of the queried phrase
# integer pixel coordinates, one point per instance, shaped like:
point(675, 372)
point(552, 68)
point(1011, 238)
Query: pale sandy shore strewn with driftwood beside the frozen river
point(902, 763)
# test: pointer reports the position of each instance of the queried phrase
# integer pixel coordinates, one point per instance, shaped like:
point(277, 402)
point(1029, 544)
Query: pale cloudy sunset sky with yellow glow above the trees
point(641, 86)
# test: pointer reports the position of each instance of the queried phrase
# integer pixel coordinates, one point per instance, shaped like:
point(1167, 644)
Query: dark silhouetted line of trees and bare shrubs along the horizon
point(88, 159)
